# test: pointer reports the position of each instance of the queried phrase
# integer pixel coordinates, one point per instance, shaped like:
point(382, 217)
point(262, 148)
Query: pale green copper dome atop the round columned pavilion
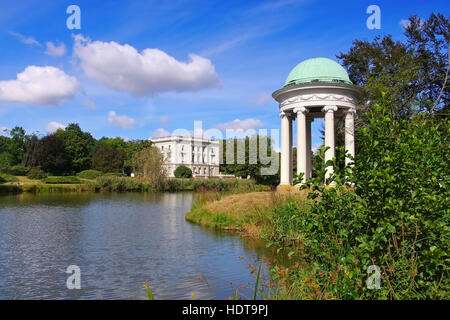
point(317, 70)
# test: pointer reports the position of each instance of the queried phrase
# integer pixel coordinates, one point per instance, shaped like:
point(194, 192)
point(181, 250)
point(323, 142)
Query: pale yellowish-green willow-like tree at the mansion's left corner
point(148, 164)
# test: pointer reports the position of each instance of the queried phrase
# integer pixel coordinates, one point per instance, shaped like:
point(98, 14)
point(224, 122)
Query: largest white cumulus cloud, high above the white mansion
point(148, 72)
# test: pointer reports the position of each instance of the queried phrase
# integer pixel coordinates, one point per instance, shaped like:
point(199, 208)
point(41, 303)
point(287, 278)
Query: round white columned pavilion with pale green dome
point(315, 88)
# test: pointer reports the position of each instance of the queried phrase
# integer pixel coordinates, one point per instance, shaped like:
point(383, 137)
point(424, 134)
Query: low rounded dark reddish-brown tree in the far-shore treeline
point(108, 159)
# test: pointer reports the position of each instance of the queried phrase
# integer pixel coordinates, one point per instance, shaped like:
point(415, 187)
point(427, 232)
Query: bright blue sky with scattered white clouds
point(141, 69)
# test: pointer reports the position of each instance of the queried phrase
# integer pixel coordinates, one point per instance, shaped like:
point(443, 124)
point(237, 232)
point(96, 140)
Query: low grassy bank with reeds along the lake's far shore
point(125, 184)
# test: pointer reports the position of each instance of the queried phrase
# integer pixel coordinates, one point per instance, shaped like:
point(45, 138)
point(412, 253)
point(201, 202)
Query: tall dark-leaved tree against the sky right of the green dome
point(411, 75)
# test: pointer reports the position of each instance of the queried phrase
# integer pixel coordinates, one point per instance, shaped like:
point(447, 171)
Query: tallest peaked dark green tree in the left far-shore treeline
point(79, 145)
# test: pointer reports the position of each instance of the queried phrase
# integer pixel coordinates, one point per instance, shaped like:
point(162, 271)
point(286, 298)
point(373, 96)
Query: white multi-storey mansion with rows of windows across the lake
point(200, 155)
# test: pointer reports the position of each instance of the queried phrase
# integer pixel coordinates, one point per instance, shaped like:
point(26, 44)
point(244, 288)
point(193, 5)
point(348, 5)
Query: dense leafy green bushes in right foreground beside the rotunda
point(390, 210)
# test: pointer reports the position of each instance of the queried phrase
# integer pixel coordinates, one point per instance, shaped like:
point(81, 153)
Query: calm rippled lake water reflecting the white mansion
point(118, 241)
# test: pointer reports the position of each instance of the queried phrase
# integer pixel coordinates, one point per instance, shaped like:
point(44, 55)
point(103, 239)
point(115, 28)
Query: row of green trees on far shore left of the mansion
point(67, 152)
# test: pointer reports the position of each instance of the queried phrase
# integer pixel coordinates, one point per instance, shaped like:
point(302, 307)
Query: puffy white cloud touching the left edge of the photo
point(39, 85)
